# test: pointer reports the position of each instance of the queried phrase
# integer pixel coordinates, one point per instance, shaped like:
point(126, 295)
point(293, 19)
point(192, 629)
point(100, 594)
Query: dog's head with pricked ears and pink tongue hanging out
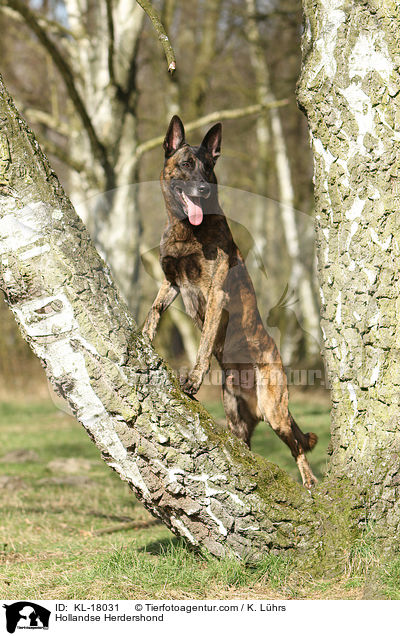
point(188, 180)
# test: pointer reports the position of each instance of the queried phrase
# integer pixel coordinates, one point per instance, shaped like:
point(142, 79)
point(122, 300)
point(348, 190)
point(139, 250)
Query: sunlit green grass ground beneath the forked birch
point(84, 535)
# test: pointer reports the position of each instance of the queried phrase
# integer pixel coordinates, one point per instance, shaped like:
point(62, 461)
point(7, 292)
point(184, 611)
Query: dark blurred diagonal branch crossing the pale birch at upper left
point(66, 73)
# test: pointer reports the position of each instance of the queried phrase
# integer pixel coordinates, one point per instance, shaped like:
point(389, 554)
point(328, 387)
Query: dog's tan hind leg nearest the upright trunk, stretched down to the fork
point(272, 398)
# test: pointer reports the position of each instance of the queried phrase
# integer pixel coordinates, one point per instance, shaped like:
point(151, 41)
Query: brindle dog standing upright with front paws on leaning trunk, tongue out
point(201, 261)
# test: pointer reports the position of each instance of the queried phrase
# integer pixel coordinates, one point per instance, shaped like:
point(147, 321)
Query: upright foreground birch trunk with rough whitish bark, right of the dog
point(350, 92)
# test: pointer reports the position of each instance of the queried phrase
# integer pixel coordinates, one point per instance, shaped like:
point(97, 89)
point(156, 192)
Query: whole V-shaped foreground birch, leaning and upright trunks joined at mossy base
point(203, 483)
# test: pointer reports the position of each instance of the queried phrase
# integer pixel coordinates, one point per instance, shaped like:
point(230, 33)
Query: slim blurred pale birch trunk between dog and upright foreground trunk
point(270, 133)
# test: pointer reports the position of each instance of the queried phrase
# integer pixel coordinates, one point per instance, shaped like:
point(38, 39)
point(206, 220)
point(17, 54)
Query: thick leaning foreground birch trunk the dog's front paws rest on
point(202, 482)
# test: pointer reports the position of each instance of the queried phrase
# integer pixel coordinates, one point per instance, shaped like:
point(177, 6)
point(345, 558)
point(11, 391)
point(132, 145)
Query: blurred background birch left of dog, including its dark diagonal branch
point(97, 62)
